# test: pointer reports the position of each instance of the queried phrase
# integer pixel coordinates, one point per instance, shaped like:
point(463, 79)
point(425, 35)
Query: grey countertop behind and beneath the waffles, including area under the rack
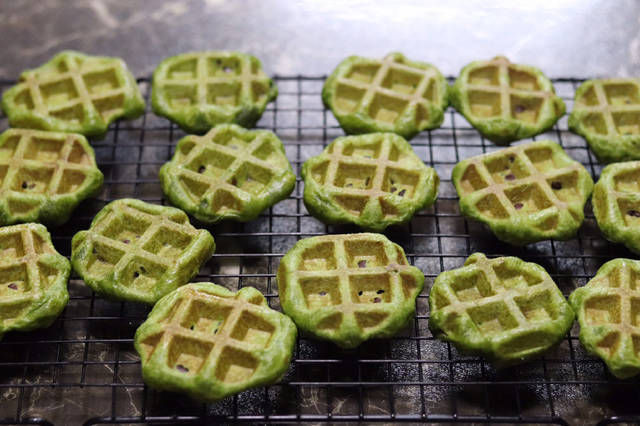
point(91, 344)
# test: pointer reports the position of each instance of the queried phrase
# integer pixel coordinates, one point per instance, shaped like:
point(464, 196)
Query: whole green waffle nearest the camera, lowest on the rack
point(210, 343)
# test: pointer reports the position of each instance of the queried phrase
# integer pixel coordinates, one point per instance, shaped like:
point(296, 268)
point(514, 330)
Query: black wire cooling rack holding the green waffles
point(83, 369)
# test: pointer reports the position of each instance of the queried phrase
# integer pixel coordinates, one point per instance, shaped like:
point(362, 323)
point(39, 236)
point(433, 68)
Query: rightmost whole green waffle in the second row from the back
point(525, 193)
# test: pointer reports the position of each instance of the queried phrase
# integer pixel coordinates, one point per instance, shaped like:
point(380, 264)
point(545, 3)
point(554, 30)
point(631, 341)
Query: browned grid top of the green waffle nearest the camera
point(222, 340)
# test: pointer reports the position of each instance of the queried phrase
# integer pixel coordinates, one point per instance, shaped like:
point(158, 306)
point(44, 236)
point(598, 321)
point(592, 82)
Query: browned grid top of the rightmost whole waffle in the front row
point(509, 305)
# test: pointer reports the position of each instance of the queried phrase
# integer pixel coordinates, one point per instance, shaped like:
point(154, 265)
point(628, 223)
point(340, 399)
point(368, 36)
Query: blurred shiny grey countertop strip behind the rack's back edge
point(563, 37)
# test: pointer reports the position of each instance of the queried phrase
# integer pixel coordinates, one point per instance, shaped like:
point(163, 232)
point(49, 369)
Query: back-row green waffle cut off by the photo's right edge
point(607, 114)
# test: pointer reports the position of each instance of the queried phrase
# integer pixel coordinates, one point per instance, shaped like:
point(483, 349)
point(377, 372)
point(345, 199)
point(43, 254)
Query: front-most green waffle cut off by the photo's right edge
point(608, 309)
